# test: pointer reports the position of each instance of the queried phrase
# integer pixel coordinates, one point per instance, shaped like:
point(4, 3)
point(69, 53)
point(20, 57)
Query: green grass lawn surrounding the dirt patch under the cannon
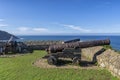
point(21, 68)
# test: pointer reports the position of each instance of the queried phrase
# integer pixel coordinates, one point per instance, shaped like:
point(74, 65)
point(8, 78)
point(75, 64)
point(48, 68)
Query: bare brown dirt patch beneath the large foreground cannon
point(66, 63)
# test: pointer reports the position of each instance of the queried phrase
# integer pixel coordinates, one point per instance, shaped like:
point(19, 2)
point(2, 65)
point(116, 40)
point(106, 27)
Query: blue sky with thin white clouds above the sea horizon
point(60, 17)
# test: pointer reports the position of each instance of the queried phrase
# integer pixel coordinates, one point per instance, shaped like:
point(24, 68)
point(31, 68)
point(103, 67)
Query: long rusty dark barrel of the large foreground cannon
point(85, 44)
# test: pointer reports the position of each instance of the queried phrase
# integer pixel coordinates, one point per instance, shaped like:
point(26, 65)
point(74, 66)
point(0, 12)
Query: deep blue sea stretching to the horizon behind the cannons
point(115, 43)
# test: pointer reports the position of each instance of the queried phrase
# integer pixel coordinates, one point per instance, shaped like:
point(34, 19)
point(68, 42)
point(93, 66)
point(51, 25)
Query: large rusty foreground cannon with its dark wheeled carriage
point(71, 50)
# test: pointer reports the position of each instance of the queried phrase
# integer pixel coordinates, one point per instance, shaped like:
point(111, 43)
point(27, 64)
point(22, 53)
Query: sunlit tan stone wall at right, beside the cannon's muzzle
point(108, 59)
